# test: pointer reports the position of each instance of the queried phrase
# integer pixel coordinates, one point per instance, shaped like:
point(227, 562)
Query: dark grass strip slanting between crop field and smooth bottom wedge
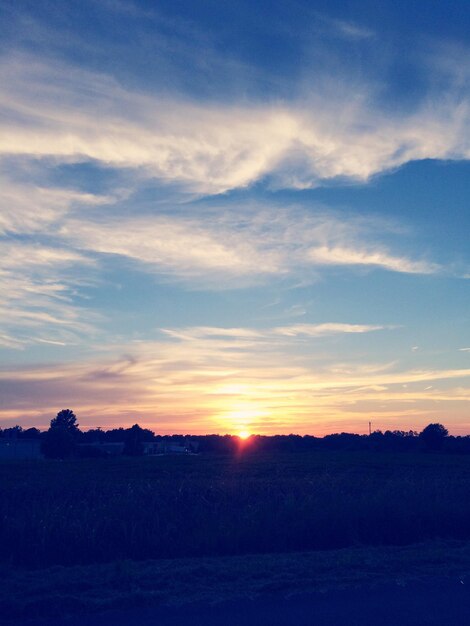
point(77, 590)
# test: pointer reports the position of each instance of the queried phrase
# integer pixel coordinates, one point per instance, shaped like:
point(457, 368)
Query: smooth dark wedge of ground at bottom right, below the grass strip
point(435, 603)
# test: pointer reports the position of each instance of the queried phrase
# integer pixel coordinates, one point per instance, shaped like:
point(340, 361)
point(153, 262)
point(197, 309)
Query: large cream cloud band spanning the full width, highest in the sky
point(54, 110)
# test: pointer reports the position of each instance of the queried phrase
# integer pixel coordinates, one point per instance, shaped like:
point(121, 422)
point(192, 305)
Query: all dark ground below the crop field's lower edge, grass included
point(425, 584)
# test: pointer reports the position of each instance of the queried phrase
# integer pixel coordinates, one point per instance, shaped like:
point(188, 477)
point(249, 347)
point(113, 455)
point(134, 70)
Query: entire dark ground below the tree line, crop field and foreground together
point(336, 538)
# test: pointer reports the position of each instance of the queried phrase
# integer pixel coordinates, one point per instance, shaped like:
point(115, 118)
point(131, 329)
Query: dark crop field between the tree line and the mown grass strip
point(89, 511)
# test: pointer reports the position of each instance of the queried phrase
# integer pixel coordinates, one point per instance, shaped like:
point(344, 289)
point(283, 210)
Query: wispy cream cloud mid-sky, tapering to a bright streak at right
point(241, 246)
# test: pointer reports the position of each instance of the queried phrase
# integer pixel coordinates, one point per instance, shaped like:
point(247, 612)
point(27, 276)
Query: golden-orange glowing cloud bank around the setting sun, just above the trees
point(206, 379)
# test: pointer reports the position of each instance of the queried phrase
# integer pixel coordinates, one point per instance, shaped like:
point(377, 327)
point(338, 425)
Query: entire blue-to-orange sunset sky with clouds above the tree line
point(219, 217)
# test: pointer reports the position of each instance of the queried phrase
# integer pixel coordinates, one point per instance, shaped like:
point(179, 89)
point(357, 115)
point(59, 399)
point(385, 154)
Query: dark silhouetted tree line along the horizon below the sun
point(64, 439)
